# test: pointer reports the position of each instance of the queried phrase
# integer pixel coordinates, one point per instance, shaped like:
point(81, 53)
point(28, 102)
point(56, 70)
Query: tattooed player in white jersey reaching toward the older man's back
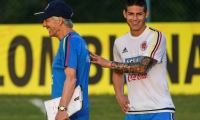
point(141, 55)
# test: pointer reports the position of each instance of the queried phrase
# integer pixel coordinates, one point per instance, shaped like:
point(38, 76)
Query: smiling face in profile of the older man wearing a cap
point(52, 26)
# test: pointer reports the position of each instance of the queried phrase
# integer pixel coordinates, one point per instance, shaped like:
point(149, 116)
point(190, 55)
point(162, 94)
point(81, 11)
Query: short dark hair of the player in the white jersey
point(141, 3)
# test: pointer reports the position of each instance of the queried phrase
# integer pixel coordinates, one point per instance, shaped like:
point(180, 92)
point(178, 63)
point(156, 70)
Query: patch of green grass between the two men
point(105, 107)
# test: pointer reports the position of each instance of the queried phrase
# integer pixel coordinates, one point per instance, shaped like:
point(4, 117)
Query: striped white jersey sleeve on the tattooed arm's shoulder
point(156, 46)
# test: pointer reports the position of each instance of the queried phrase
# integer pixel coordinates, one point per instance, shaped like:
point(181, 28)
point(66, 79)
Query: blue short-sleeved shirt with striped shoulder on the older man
point(73, 53)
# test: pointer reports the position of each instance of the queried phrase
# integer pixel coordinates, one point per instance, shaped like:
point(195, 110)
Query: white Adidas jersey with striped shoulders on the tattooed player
point(147, 93)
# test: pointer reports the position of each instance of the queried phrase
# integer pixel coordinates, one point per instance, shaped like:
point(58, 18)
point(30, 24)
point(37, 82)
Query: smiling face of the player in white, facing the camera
point(135, 17)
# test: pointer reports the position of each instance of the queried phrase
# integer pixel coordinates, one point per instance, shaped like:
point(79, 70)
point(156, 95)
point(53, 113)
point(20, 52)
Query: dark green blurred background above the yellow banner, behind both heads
point(90, 11)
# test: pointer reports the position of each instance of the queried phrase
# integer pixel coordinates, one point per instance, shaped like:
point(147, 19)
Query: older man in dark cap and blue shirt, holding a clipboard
point(71, 64)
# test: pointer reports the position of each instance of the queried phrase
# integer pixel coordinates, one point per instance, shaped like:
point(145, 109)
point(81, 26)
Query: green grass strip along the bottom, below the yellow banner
point(103, 107)
